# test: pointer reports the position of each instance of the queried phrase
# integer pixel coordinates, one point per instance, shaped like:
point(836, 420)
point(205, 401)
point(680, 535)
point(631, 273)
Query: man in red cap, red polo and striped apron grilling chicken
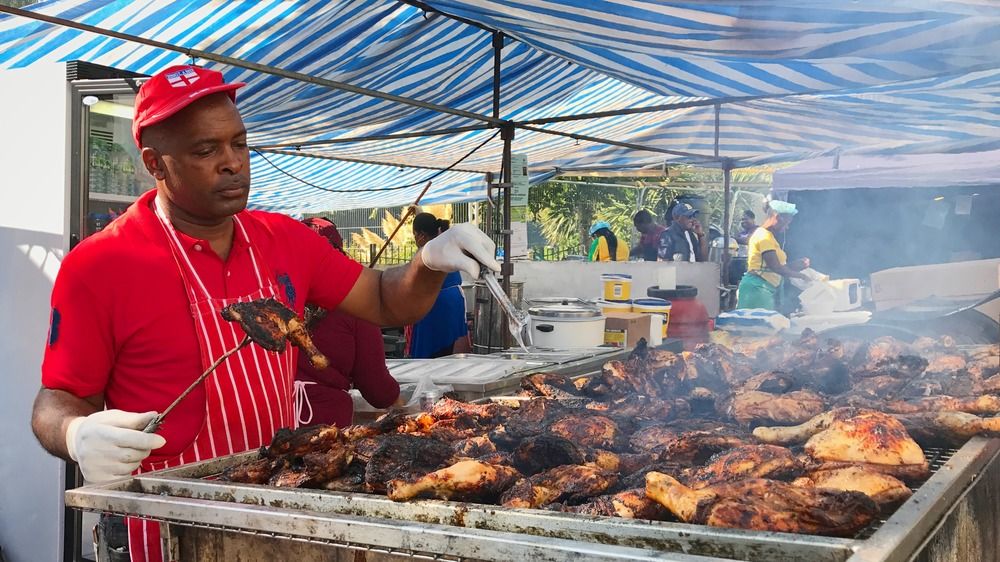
point(135, 308)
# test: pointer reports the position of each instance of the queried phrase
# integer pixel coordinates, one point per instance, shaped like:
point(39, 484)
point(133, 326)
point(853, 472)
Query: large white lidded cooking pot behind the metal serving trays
point(566, 324)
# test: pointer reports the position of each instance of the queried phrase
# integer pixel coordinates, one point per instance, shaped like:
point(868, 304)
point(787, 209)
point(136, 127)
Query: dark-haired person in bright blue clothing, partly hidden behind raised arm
point(443, 331)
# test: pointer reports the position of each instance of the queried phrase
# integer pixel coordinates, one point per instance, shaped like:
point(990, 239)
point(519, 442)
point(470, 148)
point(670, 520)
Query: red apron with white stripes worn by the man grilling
point(248, 397)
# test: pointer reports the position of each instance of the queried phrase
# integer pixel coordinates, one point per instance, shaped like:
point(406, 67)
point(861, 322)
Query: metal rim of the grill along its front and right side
point(188, 495)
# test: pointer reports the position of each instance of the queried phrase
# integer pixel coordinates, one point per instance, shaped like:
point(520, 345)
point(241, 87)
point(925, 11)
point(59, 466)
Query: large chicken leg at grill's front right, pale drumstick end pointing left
point(765, 505)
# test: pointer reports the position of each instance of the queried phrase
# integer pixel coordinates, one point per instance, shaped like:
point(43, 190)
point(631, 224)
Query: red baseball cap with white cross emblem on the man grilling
point(171, 90)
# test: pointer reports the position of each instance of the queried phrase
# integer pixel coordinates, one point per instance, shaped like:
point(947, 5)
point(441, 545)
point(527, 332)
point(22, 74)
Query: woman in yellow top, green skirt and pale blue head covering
point(766, 262)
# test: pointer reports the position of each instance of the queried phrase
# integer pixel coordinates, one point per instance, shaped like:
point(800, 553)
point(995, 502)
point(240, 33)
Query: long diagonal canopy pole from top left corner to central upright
point(239, 63)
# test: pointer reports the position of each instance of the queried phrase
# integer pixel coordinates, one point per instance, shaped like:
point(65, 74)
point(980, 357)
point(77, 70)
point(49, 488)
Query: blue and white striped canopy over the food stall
point(795, 79)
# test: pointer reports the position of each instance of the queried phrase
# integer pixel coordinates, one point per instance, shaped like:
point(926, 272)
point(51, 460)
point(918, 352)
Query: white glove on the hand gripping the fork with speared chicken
point(109, 445)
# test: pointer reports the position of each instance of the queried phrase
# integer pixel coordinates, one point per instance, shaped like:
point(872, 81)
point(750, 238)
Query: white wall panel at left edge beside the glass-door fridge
point(34, 203)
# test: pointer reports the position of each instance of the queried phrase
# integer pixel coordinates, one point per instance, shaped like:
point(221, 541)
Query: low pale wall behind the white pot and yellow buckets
point(583, 279)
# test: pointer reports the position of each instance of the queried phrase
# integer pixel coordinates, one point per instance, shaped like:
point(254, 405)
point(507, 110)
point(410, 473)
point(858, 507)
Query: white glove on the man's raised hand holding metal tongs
point(451, 251)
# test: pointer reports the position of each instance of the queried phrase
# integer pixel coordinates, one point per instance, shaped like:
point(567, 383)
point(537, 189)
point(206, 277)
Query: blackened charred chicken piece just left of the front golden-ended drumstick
point(404, 457)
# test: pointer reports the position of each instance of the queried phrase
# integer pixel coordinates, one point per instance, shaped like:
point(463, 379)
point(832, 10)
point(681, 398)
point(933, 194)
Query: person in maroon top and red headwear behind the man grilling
point(357, 359)
